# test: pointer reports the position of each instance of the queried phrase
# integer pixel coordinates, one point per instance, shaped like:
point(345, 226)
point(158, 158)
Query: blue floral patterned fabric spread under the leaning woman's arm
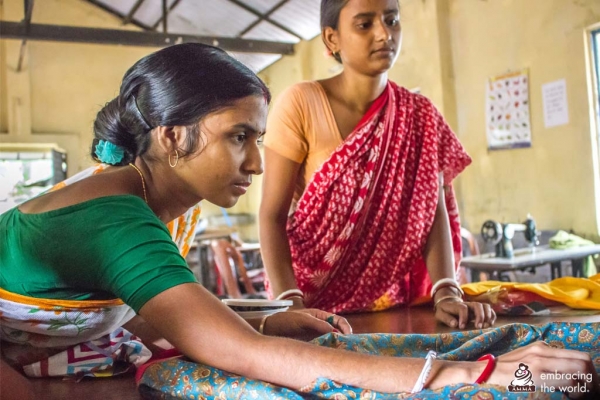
point(183, 379)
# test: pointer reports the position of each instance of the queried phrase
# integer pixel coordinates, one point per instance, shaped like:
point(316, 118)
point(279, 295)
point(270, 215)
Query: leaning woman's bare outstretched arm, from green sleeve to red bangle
point(207, 332)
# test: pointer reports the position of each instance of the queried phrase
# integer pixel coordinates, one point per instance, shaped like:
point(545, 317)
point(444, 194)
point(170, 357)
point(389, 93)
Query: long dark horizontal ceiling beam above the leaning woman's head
point(62, 33)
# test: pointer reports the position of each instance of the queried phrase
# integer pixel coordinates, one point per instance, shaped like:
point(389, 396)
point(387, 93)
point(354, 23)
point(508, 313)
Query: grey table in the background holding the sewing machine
point(531, 258)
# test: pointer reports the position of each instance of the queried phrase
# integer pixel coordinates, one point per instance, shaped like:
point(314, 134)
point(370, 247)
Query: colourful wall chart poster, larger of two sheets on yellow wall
point(507, 111)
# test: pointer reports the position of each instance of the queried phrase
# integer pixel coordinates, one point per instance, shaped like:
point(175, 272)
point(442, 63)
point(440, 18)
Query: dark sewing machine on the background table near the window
point(501, 235)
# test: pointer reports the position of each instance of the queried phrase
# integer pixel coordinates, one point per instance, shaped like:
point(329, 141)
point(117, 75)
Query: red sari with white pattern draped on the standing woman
point(358, 233)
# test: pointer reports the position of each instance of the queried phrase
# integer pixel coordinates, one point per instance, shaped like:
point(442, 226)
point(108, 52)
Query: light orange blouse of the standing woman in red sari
point(302, 128)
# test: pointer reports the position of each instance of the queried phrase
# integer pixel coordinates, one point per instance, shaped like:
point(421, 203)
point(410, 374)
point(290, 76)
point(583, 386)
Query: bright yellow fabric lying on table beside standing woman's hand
point(581, 293)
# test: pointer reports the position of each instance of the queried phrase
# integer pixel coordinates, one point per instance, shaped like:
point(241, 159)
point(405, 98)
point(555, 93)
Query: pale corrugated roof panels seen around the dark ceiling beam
point(287, 21)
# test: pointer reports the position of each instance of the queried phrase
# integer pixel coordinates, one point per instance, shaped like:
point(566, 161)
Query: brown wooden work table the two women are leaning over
point(402, 320)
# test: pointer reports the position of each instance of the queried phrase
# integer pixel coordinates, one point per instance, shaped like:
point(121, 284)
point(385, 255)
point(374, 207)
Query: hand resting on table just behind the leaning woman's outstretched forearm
point(305, 324)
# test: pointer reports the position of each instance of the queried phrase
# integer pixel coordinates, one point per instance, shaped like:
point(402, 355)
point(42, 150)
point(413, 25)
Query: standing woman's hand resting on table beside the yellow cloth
point(456, 313)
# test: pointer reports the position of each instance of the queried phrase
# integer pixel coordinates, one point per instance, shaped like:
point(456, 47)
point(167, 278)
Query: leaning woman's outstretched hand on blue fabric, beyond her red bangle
point(551, 367)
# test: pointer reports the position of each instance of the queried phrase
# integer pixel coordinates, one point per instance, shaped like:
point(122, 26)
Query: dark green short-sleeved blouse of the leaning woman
point(105, 248)
